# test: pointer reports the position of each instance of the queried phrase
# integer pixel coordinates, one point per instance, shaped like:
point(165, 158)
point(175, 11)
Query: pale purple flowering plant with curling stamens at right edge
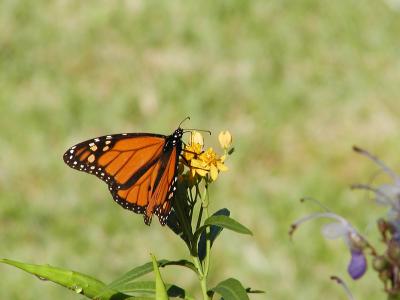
point(386, 263)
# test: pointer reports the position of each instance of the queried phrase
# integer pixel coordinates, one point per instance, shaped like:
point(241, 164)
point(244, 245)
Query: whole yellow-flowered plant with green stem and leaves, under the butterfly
point(193, 224)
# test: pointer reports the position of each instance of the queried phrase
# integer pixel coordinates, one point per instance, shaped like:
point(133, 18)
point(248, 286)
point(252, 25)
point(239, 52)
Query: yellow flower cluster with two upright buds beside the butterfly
point(206, 162)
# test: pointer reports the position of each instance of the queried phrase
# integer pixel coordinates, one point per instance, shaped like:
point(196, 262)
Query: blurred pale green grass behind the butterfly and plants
point(296, 82)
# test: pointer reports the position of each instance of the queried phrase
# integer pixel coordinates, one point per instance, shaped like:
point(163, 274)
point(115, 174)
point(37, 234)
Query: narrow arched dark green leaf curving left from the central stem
point(145, 269)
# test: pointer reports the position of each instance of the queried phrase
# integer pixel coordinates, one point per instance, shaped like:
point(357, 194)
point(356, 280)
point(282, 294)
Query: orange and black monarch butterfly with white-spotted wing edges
point(139, 168)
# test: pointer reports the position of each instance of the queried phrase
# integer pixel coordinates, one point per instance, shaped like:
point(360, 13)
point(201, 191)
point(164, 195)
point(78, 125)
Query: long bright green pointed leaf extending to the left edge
point(78, 282)
